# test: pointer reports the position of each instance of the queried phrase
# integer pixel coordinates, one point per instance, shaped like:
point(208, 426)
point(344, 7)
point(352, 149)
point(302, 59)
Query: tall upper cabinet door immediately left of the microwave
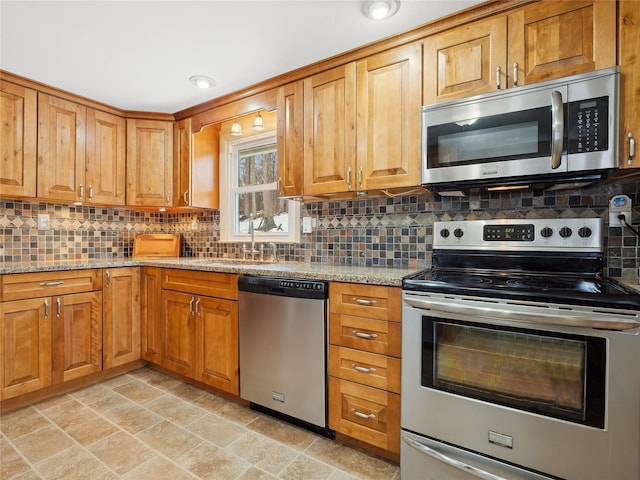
point(389, 100)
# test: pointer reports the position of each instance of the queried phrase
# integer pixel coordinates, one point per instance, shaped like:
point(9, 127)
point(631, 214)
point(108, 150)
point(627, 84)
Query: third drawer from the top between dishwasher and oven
point(371, 369)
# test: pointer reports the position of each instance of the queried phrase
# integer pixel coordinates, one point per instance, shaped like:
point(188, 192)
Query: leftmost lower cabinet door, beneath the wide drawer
point(25, 346)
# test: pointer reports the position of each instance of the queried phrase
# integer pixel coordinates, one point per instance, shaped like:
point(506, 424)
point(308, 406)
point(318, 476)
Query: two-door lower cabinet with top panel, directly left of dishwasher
point(200, 327)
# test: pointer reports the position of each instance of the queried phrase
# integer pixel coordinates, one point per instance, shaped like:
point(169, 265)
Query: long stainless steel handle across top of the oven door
point(542, 318)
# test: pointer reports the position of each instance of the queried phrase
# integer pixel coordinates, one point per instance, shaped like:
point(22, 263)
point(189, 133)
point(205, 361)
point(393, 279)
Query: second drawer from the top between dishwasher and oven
point(376, 336)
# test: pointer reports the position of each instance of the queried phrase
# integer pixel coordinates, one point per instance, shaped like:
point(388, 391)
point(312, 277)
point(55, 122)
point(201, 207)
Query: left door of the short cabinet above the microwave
point(463, 61)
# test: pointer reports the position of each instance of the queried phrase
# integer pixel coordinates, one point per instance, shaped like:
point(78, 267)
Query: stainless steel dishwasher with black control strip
point(283, 348)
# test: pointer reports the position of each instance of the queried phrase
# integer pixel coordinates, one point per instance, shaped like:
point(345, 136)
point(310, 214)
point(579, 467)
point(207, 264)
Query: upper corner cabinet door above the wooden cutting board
point(149, 163)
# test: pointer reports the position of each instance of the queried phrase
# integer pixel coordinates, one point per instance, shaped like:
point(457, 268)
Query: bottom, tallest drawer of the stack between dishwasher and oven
point(365, 413)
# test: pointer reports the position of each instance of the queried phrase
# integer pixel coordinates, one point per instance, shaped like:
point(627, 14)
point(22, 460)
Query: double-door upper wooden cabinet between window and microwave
point(362, 124)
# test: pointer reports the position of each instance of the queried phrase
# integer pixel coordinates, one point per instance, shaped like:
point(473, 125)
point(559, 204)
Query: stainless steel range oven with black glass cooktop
point(520, 360)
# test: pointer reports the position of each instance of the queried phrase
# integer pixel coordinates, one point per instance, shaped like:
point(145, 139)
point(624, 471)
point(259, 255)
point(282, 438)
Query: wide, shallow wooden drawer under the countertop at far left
point(44, 284)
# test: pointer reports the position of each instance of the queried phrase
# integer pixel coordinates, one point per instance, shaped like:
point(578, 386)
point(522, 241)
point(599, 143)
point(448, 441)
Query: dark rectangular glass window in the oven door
point(552, 374)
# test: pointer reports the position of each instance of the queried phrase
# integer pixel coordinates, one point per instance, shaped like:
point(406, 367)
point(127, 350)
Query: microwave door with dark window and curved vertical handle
point(507, 136)
